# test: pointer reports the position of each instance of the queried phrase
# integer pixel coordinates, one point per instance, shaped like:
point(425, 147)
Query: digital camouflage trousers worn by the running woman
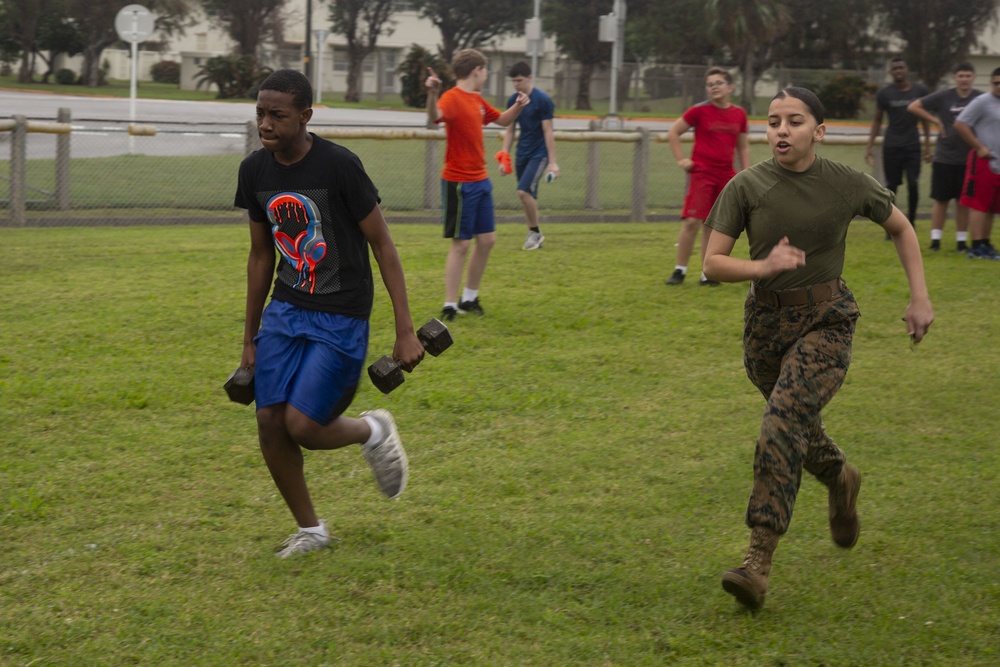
point(797, 356)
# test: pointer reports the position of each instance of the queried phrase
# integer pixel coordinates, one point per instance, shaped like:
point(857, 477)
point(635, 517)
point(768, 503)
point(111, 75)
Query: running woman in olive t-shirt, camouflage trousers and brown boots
point(800, 317)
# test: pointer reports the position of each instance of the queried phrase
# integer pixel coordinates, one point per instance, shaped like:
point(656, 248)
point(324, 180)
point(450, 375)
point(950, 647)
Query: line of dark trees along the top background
point(750, 35)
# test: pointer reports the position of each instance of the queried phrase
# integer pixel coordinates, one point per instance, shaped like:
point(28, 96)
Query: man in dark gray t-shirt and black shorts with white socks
point(948, 170)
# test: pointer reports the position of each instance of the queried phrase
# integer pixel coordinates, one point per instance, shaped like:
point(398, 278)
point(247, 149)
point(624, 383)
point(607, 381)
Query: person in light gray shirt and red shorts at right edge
point(979, 126)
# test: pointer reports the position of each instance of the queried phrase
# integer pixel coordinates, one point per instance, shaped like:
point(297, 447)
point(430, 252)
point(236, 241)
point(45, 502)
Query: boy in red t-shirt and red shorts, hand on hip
point(720, 129)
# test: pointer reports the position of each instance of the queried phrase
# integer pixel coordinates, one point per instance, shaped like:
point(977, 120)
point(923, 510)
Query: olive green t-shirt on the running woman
point(812, 208)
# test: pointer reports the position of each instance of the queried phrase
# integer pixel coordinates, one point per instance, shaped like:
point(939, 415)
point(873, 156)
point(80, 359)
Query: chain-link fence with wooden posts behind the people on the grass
point(93, 171)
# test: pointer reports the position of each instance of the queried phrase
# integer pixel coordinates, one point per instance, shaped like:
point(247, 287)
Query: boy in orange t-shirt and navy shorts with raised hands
point(466, 191)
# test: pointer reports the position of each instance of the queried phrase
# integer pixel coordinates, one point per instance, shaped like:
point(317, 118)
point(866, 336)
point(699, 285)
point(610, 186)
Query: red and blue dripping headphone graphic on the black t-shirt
point(298, 234)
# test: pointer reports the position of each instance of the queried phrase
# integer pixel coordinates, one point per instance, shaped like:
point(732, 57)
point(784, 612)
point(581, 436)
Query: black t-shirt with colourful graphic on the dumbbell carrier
point(314, 208)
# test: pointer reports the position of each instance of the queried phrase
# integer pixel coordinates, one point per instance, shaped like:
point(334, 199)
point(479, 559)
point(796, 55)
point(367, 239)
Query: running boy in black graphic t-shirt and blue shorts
point(313, 201)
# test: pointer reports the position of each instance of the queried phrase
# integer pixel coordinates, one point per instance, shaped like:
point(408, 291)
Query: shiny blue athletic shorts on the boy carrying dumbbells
point(309, 359)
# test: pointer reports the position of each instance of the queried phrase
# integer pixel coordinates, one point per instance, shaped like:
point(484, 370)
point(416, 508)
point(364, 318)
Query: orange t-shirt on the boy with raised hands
point(464, 115)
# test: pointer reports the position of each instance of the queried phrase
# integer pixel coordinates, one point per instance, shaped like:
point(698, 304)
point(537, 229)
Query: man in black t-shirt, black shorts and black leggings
point(901, 146)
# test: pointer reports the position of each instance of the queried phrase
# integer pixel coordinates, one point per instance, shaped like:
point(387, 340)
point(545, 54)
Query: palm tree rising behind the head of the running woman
point(748, 30)
